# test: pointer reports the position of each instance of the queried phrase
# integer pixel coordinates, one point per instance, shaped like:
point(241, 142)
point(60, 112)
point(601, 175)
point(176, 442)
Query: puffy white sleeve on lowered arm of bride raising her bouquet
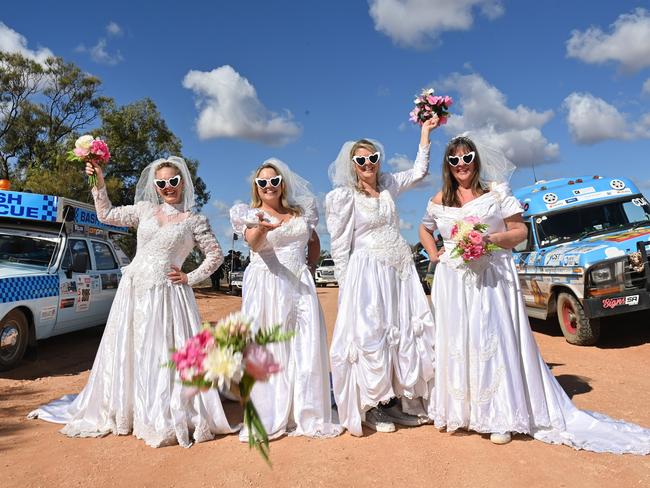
point(339, 215)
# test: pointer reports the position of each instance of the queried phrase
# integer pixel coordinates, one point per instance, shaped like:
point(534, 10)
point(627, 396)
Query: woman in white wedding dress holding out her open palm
point(278, 288)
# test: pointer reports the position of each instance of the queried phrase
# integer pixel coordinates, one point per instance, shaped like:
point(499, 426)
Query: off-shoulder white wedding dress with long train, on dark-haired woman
point(490, 376)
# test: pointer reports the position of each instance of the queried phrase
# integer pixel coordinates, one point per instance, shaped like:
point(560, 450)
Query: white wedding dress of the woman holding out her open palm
point(279, 289)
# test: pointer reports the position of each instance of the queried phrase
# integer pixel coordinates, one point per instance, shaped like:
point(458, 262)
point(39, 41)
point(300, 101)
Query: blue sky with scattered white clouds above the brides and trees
point(561, 85)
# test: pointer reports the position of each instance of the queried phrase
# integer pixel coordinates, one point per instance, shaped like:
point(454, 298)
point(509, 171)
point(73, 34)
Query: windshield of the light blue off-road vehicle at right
point(579, 222)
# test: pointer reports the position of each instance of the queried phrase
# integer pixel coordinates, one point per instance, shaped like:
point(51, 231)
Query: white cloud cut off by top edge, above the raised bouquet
point(415, 23)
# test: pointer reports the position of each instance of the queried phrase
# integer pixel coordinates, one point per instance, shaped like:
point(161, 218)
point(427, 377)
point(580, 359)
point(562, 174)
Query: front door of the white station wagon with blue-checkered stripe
point(75, 294)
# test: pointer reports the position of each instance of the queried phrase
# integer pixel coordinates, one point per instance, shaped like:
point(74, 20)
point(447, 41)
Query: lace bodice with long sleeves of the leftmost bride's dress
point(165, 237)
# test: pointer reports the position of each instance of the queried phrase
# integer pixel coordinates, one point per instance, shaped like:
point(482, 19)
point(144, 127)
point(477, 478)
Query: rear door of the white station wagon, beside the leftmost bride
point(107, 270)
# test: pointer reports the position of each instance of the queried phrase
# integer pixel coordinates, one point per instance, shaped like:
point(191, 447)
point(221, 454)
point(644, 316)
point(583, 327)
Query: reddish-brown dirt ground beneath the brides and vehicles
point(611, 378)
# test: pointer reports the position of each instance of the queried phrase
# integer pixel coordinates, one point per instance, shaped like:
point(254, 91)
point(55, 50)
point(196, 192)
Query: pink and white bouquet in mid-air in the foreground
point(228, 352)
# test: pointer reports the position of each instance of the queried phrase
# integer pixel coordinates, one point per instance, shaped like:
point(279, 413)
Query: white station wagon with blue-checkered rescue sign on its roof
point(59, 270)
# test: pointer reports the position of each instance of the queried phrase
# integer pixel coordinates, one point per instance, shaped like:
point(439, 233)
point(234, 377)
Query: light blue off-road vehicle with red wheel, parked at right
point(586, 255)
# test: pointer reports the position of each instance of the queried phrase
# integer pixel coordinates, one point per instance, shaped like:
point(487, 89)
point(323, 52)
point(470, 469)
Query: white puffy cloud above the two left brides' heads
point(229, 108)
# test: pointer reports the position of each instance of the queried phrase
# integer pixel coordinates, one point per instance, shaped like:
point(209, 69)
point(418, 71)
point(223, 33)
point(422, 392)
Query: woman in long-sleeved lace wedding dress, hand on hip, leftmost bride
point(129, 388)
